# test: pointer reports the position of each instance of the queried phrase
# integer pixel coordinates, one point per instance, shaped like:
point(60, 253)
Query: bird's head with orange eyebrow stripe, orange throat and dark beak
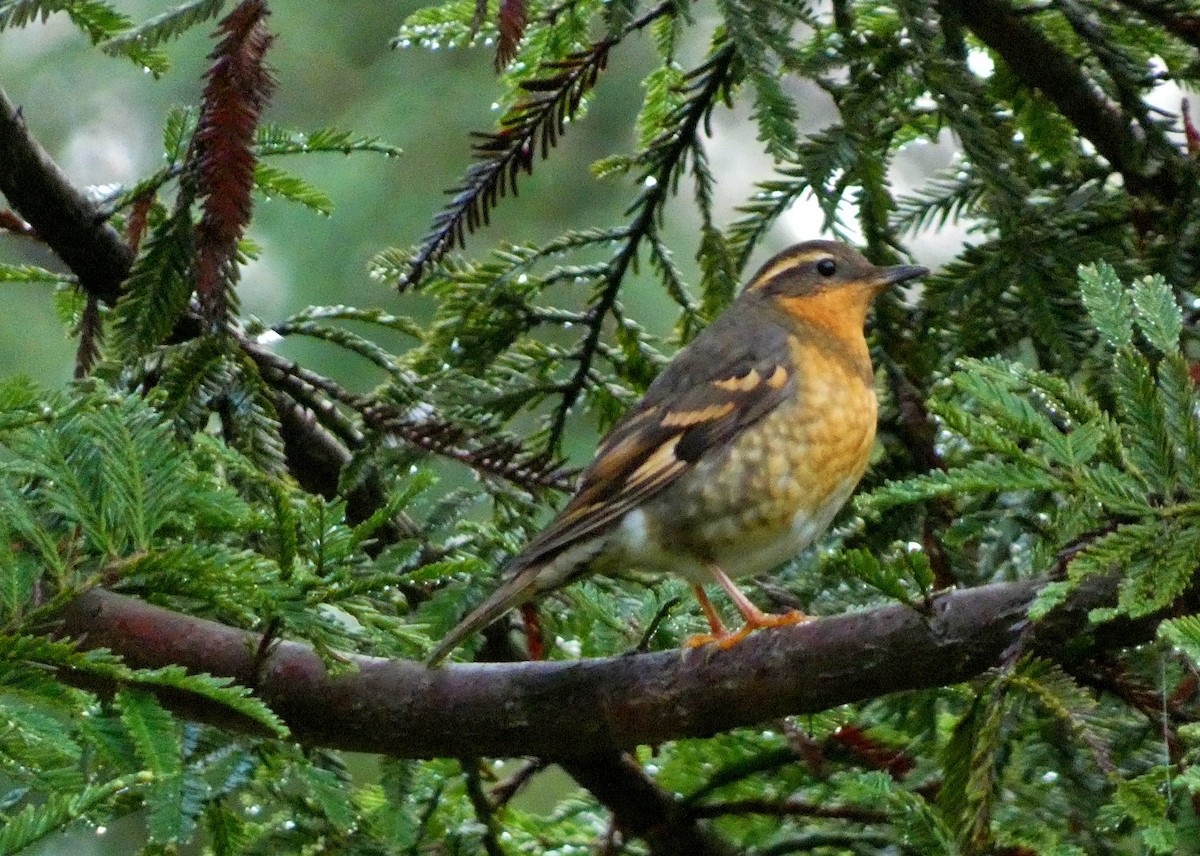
point(826, 284)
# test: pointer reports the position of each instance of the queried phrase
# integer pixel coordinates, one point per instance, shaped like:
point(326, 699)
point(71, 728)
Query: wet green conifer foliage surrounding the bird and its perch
point(1040, 422)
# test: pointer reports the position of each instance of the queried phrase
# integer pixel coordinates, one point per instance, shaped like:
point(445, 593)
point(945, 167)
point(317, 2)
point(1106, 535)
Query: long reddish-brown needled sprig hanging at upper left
point(223, 159)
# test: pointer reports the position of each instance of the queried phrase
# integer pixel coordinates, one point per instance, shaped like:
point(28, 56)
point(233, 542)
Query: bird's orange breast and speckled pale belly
point(773, 490)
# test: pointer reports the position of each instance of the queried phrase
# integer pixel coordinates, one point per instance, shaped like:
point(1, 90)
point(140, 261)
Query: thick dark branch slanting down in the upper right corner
point(1045, 67)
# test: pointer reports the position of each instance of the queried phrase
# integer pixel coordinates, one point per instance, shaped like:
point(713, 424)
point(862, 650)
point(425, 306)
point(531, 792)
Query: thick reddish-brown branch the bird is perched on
point(567, 710)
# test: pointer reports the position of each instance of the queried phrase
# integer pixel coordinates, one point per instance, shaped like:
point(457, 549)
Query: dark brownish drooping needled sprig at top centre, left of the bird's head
point(535, 123)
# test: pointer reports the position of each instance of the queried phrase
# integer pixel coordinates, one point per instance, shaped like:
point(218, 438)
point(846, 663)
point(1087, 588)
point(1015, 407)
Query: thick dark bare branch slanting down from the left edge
point(70, 224)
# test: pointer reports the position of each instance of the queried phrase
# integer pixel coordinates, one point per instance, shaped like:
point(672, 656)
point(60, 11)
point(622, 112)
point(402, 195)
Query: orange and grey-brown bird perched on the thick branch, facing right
point(737, 458)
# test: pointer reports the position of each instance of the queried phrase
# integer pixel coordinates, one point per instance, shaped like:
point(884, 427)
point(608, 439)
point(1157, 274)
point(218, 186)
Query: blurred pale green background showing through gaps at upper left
point(101, 119)
